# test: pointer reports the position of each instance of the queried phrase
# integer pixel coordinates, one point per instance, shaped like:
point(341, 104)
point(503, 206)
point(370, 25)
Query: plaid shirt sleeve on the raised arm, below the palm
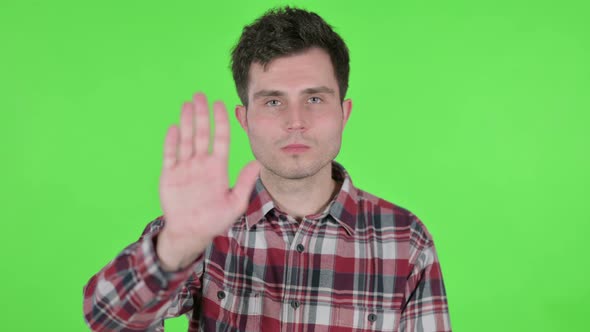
point(134, 293)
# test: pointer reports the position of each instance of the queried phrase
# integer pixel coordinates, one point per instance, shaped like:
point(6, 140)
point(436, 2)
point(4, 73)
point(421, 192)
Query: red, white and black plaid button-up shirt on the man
point(363, 264)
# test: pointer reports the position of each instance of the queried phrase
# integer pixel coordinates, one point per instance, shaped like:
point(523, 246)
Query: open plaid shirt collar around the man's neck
point(343, 207)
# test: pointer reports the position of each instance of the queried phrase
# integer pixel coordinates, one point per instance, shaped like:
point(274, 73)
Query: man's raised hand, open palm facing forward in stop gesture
point(194, 187)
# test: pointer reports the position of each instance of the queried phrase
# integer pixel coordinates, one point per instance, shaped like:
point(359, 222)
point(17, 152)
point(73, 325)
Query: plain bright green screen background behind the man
point(471, 114)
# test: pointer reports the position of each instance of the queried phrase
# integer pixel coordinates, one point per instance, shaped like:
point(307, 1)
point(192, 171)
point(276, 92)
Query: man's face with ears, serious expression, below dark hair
point(294, 101)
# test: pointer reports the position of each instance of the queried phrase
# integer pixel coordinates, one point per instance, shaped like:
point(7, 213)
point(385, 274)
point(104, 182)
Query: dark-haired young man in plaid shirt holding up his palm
point(294, 246)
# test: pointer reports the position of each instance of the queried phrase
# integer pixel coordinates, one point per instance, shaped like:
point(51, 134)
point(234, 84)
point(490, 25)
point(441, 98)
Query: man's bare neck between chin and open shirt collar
point(301, 197)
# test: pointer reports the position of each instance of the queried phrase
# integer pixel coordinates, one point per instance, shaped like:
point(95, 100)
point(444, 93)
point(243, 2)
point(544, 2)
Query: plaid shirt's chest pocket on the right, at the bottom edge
point(367, 318)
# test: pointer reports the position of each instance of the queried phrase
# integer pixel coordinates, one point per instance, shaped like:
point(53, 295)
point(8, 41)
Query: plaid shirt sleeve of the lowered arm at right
point(425, 308)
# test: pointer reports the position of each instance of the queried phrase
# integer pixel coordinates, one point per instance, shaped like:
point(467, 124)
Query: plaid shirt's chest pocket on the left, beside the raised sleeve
point(228, 309)
